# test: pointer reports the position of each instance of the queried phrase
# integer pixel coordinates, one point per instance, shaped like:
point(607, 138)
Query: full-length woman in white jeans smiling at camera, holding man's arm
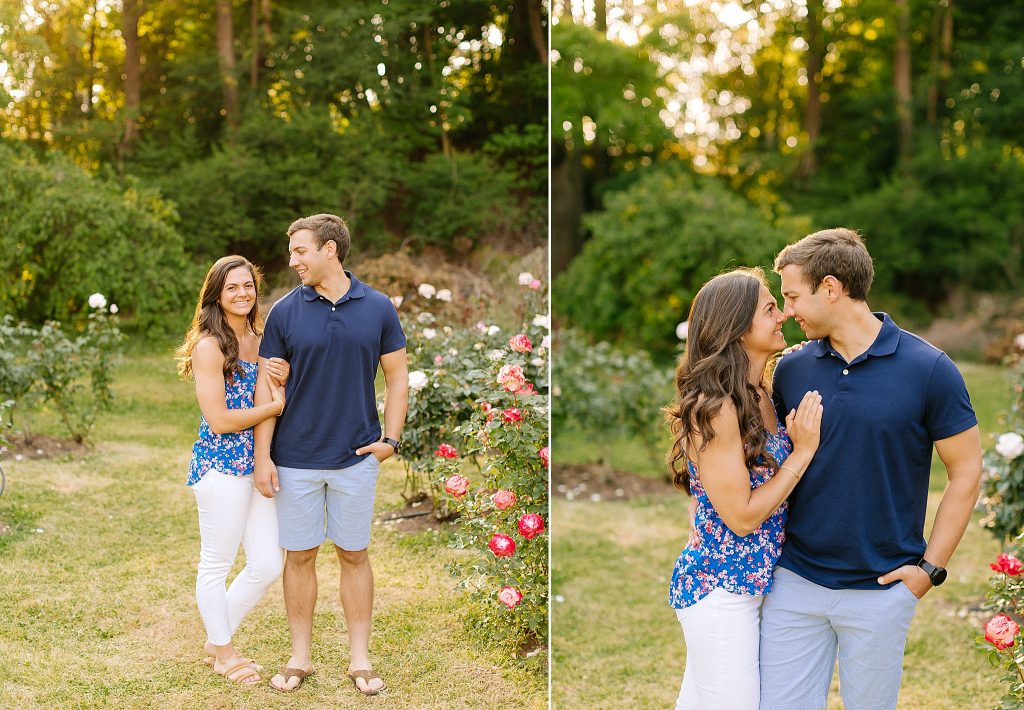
point(221, 353)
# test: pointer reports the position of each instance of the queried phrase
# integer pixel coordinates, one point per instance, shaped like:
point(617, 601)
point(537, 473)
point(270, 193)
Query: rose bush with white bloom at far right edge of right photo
point(1003, 482)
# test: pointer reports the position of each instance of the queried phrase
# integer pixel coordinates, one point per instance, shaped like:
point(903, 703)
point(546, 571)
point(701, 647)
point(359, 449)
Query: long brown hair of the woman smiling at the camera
point(210, 320)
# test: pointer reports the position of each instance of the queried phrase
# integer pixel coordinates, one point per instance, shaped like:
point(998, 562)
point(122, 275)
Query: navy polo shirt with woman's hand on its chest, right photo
point(860, 510)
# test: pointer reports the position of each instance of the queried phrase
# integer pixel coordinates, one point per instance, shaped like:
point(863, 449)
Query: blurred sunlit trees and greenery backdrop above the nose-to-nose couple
point(901, 119)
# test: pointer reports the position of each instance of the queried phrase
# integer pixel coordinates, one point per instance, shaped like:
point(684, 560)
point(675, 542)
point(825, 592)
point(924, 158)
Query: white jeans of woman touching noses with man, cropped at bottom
point(722, 634)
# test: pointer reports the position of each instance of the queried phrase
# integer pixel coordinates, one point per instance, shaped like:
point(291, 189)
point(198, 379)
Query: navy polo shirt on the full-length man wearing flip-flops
point(334, 351)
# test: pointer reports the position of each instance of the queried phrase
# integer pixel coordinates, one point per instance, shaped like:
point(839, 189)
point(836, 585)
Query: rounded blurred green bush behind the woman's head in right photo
point(652, 249)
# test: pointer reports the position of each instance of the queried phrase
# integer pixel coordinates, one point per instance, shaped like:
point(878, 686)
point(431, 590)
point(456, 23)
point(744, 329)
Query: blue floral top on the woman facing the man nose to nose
point(722, 559)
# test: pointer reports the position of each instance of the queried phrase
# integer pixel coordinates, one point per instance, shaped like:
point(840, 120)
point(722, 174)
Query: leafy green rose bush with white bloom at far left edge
point(48, 366)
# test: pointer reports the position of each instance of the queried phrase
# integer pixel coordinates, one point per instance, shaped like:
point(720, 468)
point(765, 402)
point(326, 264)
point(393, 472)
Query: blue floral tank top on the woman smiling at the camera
point(232, 453)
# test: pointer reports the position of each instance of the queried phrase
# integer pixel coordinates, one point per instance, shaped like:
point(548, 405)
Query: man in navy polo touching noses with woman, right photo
point(856, 561)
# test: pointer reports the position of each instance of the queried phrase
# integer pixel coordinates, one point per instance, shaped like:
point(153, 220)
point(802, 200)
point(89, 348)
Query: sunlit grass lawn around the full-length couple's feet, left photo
point(98, 574)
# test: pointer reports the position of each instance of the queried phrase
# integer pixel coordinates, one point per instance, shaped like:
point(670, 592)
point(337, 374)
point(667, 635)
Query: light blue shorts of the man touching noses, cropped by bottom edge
point(804, 625)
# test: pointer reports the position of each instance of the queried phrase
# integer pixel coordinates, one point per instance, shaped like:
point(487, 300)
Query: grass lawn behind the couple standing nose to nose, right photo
point(616, 641)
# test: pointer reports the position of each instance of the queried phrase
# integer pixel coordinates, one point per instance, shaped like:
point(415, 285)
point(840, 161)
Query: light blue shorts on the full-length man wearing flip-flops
point(338, 504)
